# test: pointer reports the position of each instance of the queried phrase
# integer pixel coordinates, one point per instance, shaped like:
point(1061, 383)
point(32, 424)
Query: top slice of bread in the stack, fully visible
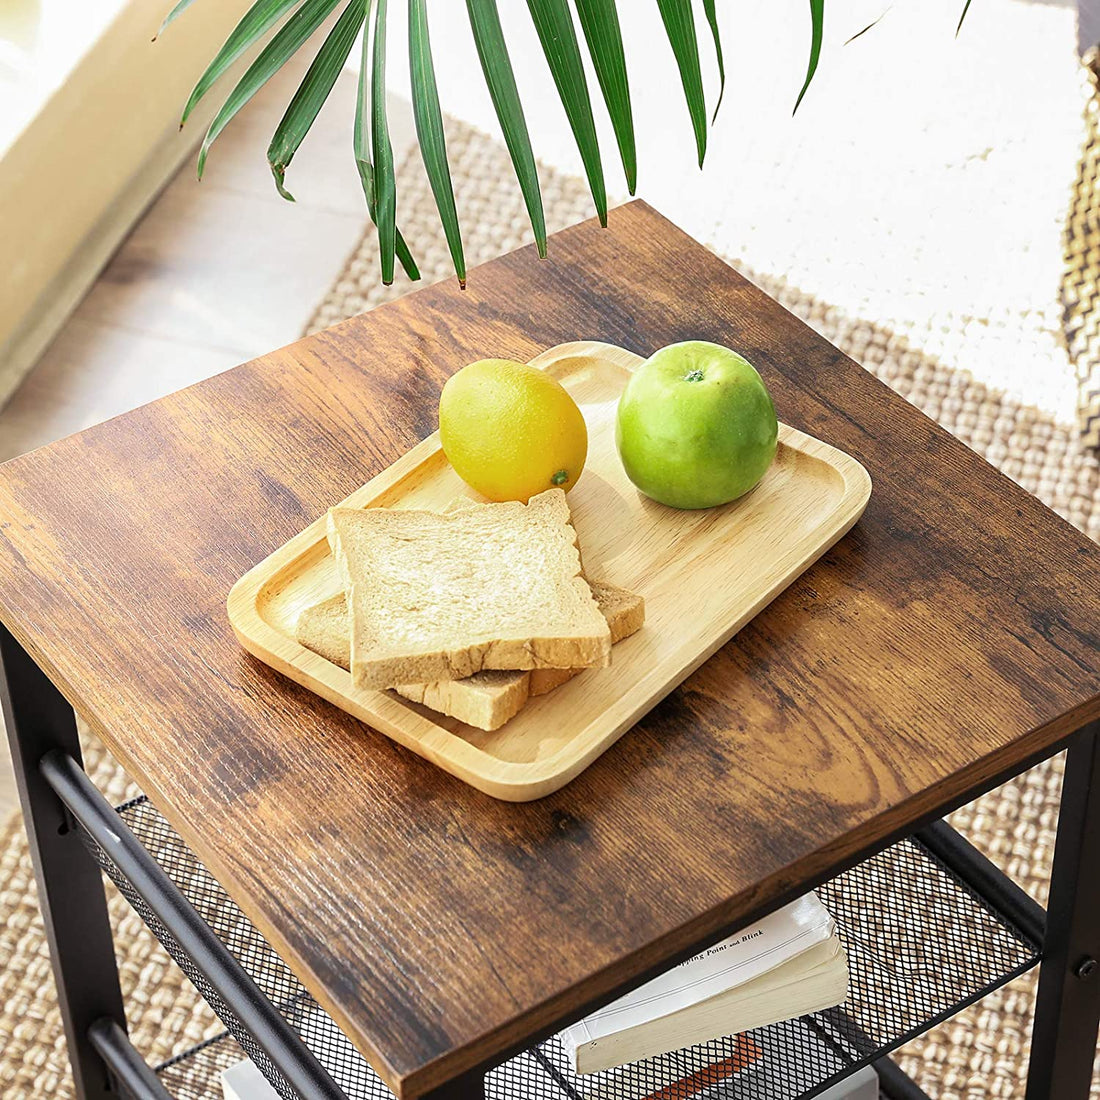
point(433, 597)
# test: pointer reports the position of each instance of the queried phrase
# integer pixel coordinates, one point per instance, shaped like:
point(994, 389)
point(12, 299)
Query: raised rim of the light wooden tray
point(513, 782)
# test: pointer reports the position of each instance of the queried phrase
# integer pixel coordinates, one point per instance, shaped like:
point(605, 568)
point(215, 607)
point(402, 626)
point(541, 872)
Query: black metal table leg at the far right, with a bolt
point(1068, 1009)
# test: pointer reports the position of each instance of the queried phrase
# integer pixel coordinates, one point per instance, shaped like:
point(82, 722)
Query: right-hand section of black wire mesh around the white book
point(921, 945)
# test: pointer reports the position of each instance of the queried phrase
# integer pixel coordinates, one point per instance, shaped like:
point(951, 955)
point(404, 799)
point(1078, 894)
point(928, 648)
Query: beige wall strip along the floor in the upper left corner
point(82, 171)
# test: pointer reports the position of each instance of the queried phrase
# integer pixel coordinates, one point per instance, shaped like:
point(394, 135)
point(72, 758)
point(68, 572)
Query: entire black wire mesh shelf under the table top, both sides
point(921, 943)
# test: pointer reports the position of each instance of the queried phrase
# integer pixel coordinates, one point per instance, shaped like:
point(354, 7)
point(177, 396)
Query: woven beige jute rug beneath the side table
point(981, 1053)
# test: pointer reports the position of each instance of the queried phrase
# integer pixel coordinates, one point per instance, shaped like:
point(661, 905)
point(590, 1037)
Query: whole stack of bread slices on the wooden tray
point(469, 612)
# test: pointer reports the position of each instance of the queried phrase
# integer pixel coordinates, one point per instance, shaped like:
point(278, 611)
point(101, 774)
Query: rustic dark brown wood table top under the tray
point(949, 641)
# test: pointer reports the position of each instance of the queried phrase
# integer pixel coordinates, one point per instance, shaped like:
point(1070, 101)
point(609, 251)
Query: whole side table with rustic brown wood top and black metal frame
point(360, 920)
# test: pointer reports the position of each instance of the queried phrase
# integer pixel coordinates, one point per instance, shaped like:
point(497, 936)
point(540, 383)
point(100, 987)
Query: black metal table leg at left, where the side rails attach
point(71, 889)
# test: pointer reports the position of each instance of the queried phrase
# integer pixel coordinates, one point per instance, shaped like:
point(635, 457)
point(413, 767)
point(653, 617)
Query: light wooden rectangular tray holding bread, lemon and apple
point(705, 575)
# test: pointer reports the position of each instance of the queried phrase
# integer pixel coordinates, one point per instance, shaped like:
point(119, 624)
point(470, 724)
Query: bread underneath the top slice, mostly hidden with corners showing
point(486, 700)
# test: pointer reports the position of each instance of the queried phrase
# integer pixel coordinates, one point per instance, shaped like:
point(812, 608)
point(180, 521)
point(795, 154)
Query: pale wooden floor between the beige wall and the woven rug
point(215, 274)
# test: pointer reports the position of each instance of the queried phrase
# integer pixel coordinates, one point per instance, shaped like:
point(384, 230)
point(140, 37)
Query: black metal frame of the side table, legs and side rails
point(57, 794)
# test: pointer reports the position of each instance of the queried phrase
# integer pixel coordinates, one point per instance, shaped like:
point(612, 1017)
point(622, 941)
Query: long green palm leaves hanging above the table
point(373, 151)
